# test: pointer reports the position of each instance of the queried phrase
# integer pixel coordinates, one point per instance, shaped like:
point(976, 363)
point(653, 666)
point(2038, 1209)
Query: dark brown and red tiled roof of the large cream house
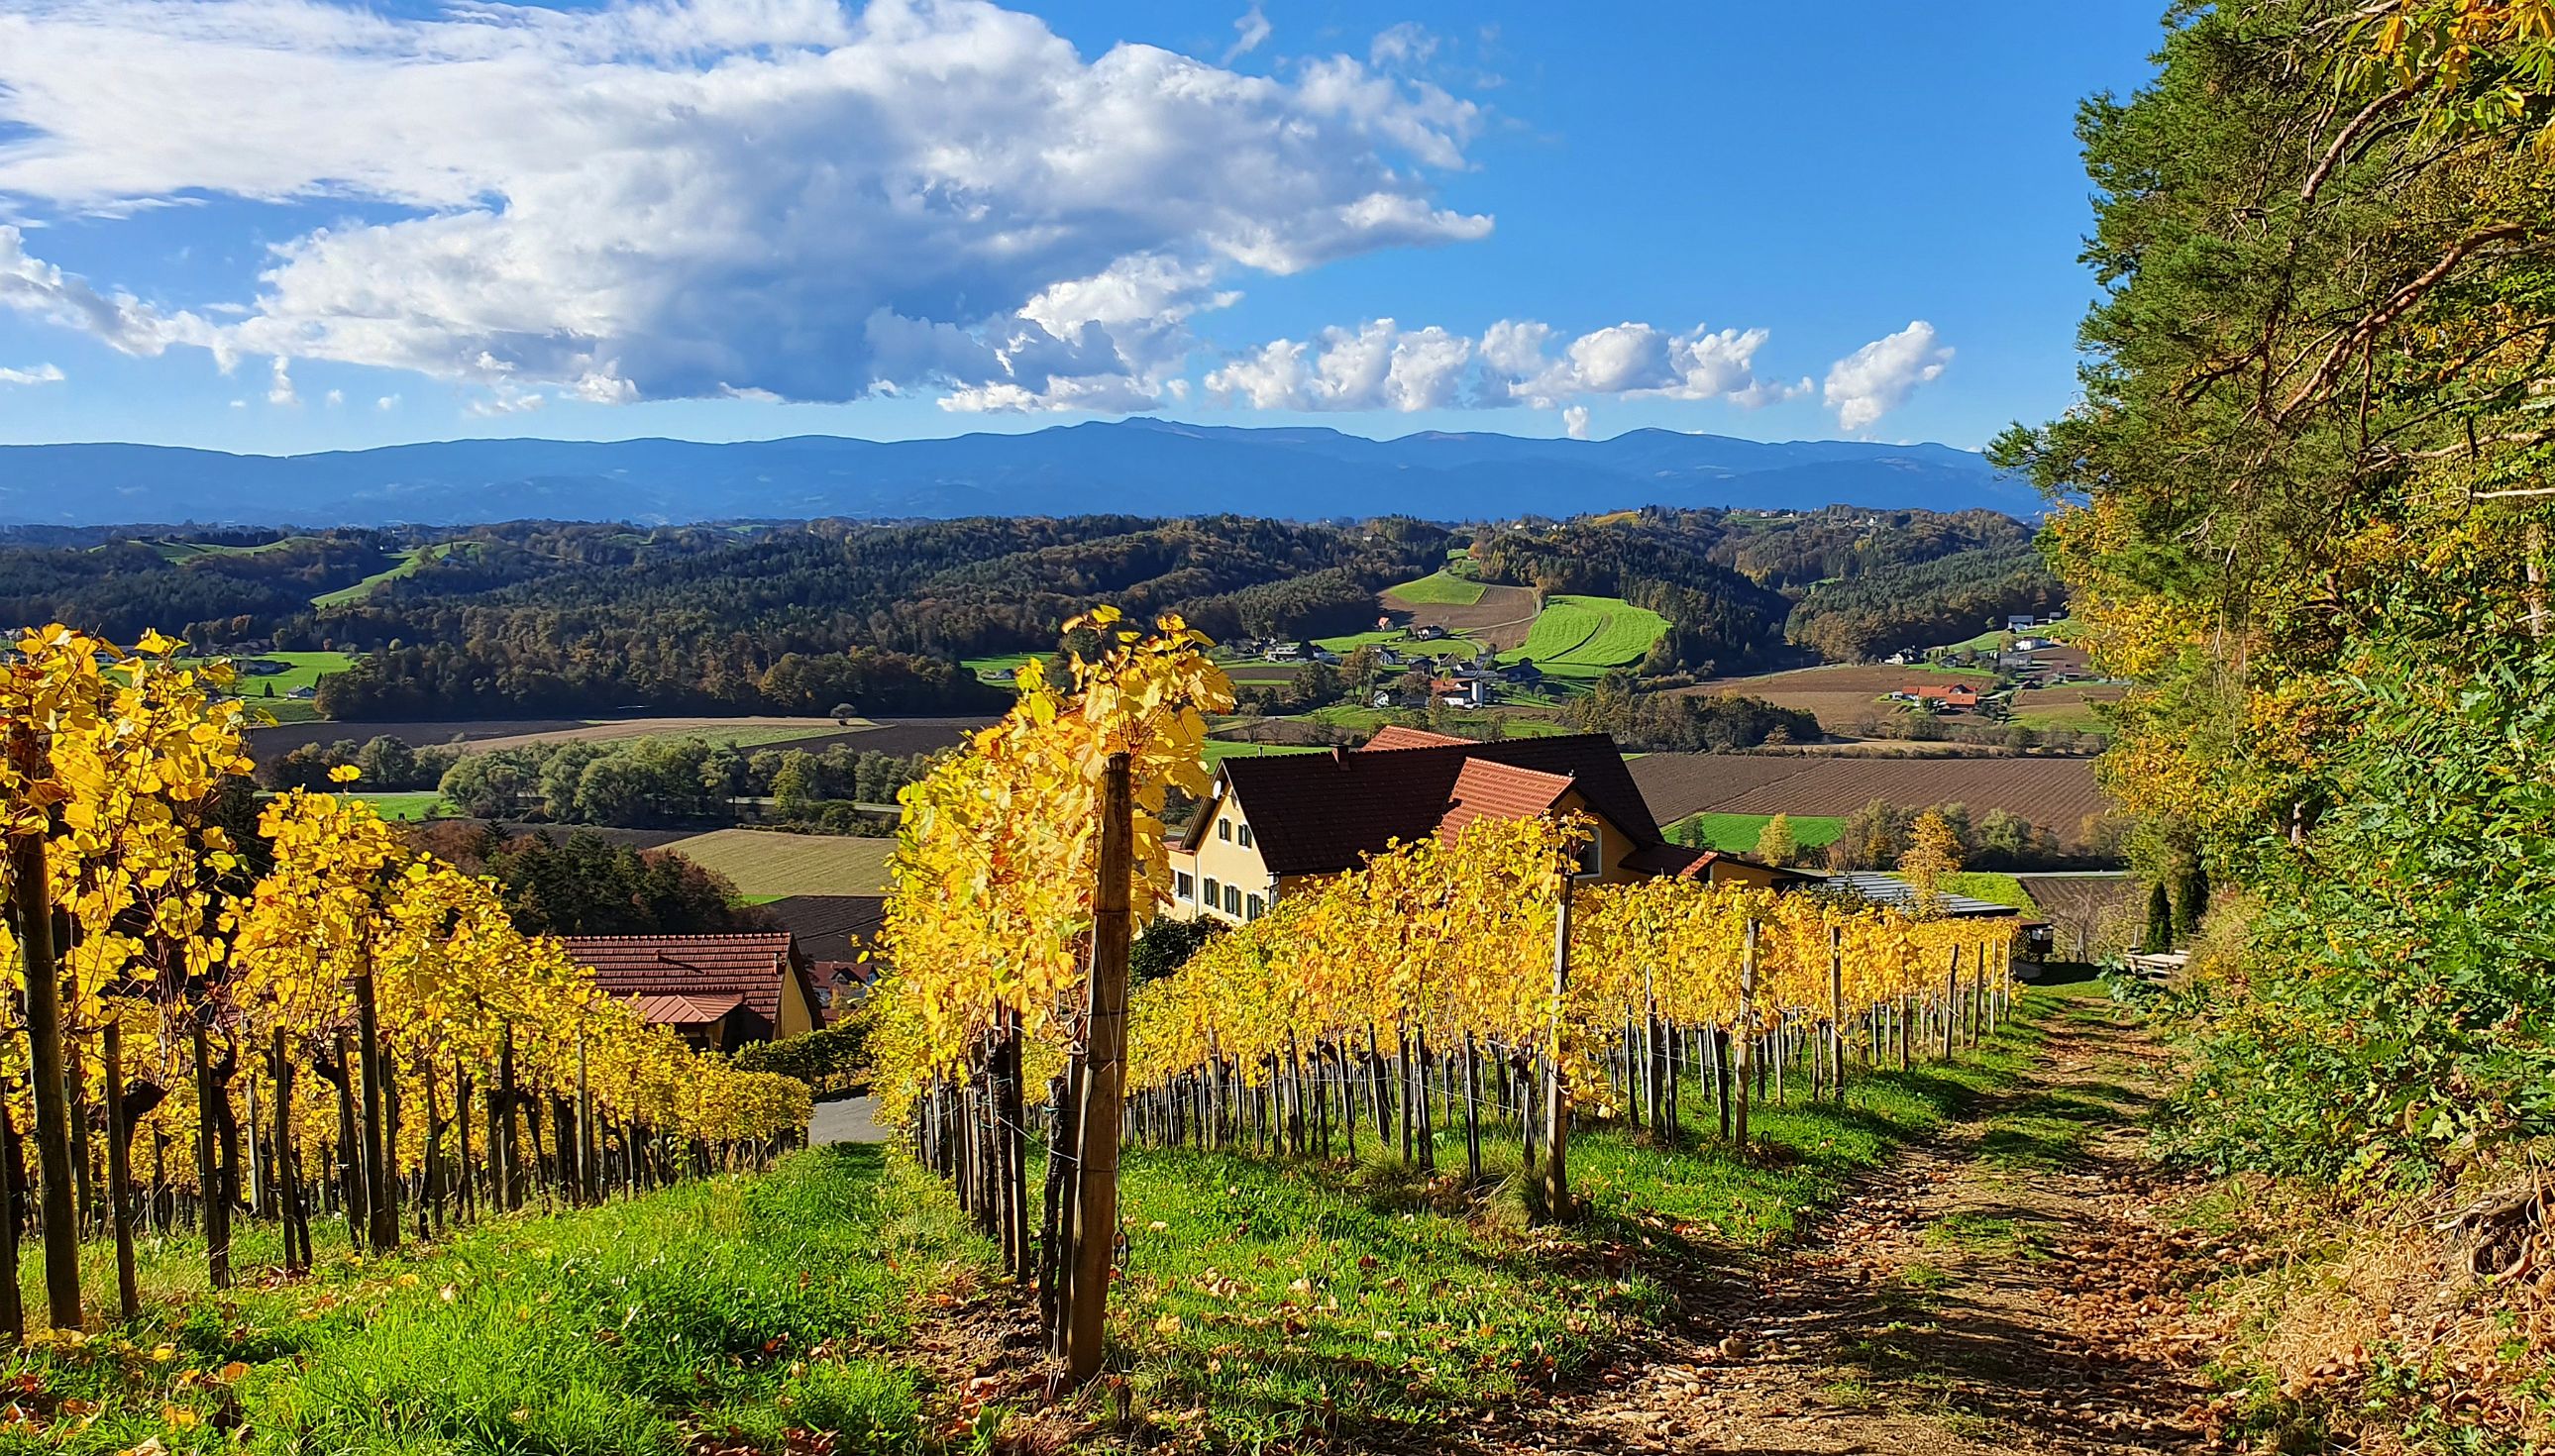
point(1322, 814)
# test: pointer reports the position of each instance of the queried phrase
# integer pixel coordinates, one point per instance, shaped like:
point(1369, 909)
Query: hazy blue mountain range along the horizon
point(1138, 466)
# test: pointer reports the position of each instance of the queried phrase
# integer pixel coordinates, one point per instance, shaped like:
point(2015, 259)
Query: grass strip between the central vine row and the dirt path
point(1269, 1301)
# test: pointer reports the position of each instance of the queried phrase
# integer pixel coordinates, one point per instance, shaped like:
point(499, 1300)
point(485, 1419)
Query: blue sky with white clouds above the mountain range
point(303, 226)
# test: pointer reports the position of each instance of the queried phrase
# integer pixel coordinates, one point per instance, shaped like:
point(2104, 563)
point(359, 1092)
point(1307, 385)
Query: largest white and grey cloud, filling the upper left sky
point(712, 198)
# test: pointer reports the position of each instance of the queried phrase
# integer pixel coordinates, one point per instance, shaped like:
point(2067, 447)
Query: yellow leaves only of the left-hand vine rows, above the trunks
point(111, 760)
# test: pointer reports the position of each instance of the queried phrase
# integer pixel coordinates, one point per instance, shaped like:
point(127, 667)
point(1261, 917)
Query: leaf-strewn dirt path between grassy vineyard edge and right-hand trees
point(2002, 1289)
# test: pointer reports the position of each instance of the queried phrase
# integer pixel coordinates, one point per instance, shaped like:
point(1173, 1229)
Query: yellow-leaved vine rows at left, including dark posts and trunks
point(147, 959)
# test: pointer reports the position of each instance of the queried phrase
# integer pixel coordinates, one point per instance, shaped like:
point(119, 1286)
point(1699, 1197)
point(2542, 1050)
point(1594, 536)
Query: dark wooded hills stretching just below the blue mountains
point(804, 617)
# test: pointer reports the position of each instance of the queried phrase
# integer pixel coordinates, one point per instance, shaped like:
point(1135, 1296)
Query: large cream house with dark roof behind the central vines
point(1269, 824)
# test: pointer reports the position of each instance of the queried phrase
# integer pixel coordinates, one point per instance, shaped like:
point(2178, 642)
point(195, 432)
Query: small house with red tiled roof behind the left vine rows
point(719, 992)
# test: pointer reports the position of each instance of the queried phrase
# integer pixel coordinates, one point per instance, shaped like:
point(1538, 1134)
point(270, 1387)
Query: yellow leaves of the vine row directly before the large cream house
point(1455, 939)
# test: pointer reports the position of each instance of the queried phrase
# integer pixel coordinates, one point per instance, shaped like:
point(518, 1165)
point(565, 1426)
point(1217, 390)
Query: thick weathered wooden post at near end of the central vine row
point(1105, 1079)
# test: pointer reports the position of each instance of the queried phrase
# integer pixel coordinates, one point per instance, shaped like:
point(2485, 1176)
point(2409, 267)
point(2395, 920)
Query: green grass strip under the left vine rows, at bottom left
point(729, 1304)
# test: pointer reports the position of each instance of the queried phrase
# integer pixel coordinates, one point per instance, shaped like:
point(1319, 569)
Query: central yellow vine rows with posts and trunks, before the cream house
point(1450, 980)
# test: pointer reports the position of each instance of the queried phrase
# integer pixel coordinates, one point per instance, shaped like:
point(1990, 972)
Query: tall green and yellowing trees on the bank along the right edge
point(2316, 453)
